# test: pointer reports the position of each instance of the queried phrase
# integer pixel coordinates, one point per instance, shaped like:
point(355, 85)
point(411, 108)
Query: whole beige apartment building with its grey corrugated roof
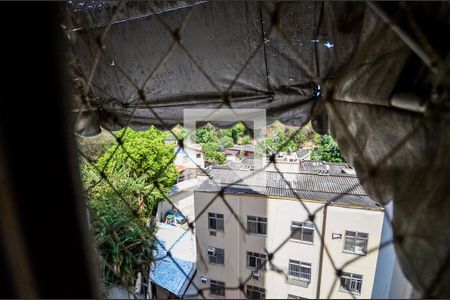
point(262, 236)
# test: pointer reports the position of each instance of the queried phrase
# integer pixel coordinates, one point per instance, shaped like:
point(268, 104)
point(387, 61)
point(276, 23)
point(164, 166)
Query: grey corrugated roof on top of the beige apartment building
point(340, 189)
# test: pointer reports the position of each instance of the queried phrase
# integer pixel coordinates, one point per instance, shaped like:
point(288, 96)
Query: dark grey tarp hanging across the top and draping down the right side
point(379, 86)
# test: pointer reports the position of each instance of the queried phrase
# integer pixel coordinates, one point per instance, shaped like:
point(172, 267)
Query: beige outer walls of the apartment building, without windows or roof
point(280, 214)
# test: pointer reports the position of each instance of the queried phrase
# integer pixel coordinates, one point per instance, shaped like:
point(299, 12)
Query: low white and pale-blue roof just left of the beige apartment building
point(165, 272)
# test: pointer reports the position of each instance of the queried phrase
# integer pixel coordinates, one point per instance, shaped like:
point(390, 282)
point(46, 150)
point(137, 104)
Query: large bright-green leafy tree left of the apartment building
point(123, 187)
